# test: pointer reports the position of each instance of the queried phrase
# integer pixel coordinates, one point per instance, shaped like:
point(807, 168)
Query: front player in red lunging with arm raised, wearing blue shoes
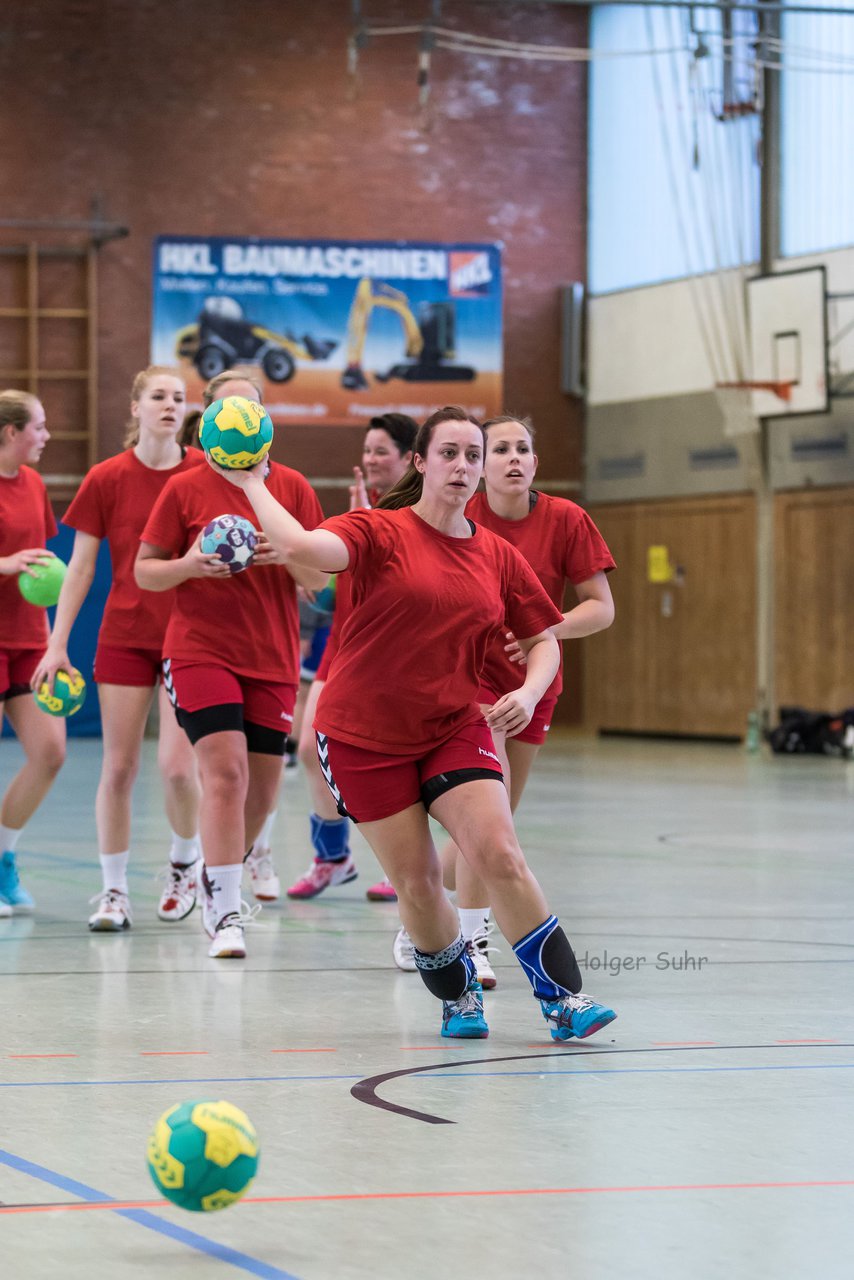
point(431, 593)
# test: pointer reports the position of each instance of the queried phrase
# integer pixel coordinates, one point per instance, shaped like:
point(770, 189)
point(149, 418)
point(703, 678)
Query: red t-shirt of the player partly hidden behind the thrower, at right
point(560, 542)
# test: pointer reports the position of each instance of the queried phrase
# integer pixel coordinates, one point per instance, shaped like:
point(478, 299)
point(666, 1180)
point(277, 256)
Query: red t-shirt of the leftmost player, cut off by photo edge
point(26, 520)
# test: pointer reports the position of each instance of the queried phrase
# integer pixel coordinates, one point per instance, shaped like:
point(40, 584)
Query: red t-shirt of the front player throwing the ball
point(426, 609)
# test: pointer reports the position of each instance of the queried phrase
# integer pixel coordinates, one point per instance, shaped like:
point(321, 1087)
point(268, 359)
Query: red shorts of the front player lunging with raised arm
point(372, 785)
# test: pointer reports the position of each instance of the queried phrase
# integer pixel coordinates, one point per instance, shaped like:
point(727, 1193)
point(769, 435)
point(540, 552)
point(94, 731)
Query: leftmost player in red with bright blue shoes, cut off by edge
point(26, 524)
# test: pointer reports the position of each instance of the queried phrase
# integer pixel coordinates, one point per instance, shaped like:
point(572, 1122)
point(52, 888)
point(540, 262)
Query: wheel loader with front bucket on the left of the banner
point(223, 337)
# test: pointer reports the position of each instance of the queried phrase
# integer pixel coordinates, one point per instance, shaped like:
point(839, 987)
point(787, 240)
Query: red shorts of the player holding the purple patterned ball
point(195, 688)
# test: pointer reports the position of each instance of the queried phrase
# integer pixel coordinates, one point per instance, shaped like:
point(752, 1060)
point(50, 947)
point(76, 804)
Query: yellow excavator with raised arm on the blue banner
point(430, 339)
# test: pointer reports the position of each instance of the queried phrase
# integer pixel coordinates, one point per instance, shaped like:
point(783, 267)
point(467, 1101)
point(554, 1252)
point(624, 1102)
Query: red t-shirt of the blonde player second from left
point(115, 502)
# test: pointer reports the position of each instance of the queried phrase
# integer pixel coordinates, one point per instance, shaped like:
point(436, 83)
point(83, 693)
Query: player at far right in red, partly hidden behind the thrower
point(561, 545)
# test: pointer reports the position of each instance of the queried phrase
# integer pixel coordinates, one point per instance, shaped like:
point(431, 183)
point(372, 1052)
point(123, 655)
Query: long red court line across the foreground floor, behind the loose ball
point(471, 1195)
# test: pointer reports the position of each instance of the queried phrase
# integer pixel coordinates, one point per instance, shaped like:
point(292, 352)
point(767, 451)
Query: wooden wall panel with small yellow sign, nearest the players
point(681, 657)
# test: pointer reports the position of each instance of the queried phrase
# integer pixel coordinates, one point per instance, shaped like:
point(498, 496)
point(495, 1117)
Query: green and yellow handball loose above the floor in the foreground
point(203, 1156)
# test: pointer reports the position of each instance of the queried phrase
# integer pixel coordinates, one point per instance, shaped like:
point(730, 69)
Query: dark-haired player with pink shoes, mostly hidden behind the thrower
point(387, 454)
